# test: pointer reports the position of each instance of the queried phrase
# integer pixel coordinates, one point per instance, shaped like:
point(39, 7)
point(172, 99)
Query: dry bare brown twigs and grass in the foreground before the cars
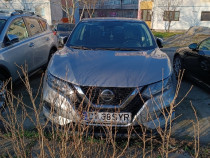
point(77, 139)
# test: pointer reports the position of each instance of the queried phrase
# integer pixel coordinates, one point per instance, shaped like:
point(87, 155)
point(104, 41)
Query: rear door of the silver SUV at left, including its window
point(40, 40)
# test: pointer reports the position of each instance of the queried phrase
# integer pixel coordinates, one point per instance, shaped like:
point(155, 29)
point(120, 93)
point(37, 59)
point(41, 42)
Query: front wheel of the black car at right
point(178, 66)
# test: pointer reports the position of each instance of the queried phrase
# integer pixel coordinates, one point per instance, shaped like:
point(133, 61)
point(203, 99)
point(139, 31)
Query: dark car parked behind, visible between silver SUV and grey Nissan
point(63, 30)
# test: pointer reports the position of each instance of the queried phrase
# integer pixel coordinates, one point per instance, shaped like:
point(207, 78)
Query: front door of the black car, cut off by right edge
point(204, 60)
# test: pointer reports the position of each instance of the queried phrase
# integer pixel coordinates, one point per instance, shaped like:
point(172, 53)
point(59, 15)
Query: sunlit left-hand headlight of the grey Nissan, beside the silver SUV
point(59, 85)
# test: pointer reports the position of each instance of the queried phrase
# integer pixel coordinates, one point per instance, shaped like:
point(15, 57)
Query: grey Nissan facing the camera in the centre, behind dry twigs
point(98, 75)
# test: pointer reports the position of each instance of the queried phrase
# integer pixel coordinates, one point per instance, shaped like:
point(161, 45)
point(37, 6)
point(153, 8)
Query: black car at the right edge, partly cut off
point(195, 60)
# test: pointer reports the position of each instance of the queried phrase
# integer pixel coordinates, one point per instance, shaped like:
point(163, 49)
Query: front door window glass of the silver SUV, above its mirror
point(18, 28)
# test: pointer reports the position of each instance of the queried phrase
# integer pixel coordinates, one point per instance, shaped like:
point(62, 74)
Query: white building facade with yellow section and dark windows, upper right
point(176, 16)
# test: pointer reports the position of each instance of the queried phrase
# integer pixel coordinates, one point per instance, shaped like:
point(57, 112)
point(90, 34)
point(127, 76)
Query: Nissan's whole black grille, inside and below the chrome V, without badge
point(121, 94)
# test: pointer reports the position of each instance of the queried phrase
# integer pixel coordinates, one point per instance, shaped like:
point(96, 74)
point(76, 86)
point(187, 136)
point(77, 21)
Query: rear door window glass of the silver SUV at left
point(33, 26)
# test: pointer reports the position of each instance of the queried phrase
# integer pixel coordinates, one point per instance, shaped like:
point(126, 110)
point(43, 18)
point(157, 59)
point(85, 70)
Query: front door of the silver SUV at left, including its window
point(16, 53)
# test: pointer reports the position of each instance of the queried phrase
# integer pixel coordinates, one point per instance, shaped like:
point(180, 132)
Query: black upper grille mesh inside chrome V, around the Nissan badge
point(93, 94)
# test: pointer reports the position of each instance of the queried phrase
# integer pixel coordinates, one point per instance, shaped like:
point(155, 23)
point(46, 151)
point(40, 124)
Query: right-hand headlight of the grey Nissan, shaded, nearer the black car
point(157, 88)
